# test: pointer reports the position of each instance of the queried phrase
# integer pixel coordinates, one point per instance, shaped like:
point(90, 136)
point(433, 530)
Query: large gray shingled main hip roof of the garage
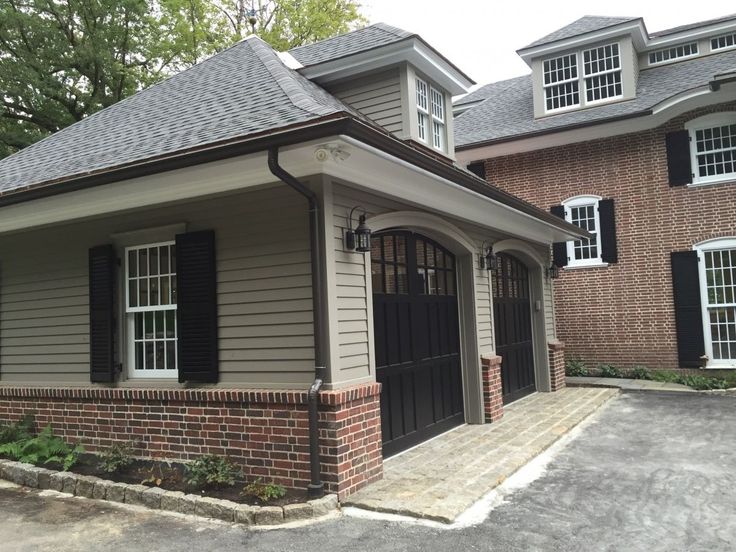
point(243, 90)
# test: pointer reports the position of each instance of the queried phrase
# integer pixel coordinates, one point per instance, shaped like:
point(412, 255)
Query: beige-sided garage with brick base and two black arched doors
point(192, 268)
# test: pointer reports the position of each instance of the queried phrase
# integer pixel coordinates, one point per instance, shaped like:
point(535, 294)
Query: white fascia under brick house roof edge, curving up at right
point(662, 112)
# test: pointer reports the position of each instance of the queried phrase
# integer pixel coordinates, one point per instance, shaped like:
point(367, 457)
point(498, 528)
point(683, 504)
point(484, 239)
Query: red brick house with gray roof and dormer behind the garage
point(631, 135)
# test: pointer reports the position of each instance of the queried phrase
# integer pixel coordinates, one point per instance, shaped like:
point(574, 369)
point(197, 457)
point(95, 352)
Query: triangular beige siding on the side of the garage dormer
point(376, 96)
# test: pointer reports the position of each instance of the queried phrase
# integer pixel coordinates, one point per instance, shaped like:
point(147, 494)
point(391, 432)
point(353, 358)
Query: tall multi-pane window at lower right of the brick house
point(720, 292)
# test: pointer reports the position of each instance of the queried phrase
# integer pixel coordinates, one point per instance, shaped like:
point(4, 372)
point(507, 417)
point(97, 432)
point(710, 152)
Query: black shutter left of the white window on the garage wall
point(102, 265)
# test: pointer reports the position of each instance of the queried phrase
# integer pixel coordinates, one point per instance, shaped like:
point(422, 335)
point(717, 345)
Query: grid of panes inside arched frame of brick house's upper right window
point(715, 151)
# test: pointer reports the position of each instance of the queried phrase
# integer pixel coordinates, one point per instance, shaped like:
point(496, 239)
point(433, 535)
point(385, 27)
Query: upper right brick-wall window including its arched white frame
point(713, 147)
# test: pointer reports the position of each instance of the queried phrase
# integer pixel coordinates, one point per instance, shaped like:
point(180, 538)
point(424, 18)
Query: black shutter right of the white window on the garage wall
point(196, 311)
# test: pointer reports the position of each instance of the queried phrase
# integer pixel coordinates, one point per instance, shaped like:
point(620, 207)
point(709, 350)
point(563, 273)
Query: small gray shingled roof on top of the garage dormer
point(350, 43)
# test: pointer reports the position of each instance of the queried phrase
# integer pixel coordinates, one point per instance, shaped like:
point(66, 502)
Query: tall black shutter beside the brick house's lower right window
point(688, 313)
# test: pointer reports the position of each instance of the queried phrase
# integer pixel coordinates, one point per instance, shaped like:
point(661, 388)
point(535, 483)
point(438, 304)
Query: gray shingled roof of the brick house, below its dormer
point(507, 112)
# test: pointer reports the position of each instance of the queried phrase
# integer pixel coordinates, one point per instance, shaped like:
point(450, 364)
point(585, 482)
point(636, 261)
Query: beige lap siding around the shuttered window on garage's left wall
point(264, 290)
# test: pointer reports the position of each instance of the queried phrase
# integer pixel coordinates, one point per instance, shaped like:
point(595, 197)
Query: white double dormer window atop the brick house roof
point(600, 78)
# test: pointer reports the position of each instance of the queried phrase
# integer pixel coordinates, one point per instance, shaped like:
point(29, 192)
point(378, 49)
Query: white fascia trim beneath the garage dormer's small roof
point(413, 51)
